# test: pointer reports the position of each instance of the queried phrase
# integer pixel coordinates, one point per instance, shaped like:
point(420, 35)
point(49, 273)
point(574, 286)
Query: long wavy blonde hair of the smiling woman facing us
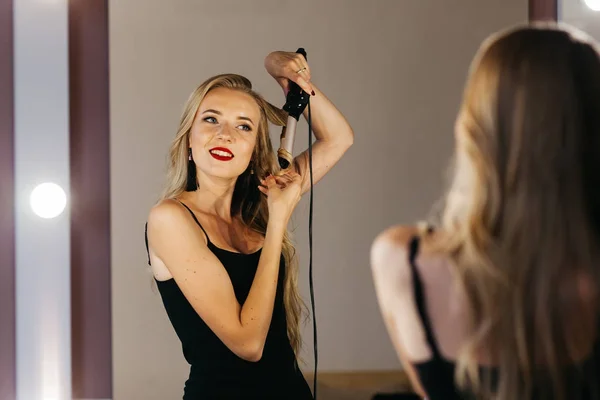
point(247, 203)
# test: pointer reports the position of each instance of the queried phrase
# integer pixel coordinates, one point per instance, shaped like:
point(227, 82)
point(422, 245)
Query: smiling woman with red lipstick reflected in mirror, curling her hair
point(218, 242)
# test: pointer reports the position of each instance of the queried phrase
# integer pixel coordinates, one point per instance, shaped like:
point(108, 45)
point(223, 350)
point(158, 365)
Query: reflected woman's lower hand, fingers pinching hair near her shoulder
point(283, 194)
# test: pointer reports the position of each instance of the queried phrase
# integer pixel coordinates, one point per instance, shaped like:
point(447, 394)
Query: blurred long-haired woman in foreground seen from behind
point(501, 300)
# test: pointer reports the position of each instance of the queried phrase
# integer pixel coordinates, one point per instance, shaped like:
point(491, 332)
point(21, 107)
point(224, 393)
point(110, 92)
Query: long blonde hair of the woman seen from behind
point(523, 212)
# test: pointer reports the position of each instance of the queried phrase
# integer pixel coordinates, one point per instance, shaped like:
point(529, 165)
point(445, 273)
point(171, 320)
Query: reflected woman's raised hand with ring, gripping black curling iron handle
point(283, 65)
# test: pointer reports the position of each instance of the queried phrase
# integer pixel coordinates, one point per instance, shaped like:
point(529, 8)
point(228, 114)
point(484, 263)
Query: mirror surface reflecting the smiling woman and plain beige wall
point(385, 68)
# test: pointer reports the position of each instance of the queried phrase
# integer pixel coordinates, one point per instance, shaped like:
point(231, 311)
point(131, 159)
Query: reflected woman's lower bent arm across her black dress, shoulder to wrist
point(179, 243)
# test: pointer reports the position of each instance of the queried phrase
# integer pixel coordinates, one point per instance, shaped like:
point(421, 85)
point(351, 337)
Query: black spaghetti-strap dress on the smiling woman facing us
point(215, 371)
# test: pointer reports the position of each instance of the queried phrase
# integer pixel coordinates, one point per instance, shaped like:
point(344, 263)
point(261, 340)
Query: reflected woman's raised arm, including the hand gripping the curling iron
point(332, 131)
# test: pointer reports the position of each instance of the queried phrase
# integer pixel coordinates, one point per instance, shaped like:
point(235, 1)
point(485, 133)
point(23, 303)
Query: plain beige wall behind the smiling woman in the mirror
point(392, 67)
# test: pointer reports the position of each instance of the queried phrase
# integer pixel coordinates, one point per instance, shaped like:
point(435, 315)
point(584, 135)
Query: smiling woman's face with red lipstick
point(224, 132)
